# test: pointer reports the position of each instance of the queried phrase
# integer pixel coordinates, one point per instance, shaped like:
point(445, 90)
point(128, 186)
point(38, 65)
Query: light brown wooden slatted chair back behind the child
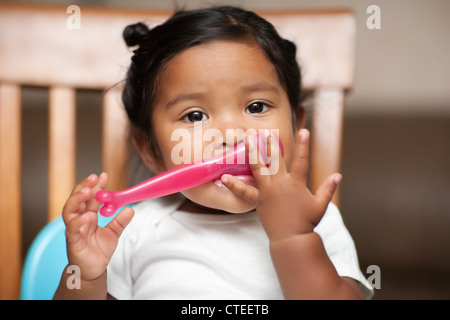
point(39, 48)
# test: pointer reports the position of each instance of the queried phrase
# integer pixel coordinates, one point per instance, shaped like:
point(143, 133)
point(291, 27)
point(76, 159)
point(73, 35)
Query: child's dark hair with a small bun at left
point(189, 28)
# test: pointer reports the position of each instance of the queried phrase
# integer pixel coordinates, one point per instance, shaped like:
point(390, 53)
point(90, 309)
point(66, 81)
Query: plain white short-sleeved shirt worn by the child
point(166, 253)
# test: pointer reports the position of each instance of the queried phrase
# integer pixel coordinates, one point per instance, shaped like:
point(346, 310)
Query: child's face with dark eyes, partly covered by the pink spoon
point(224, 85)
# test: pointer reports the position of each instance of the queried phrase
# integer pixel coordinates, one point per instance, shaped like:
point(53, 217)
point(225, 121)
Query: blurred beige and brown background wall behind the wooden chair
point(396, 153)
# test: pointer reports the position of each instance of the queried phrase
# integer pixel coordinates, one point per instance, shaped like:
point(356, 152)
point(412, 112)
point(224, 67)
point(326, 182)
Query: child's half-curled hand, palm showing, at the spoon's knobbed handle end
point(89, 246)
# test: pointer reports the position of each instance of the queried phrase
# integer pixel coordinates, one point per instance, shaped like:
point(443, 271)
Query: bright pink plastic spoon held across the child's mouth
point(234, 161)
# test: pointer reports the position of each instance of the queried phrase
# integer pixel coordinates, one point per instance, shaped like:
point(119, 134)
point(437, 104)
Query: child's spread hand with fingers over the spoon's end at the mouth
point(283, 201)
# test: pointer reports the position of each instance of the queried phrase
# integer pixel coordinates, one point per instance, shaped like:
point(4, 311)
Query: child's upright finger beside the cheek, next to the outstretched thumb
point(300, 162)
